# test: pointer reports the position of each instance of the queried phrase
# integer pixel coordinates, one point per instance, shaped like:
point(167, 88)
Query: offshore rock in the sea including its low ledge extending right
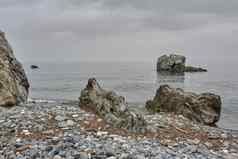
point(175, 64)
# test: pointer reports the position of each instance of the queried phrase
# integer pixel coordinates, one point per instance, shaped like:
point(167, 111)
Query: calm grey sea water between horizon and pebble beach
point(136, 81)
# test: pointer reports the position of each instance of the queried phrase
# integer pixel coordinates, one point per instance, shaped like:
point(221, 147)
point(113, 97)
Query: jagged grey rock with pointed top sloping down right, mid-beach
point(111, 107)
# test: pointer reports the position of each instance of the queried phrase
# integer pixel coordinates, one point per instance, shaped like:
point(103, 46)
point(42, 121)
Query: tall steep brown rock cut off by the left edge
point(13, 82)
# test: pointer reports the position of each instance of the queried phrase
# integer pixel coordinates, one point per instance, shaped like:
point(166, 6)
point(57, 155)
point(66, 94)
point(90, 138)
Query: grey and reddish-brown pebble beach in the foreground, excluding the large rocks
point(63, 130)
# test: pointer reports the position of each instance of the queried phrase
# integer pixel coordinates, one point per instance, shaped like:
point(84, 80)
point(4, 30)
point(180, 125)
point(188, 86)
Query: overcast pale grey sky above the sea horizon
point(137, 30)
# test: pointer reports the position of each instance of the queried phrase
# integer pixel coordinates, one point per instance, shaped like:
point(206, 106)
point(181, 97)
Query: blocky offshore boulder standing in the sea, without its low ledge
point(172, 63)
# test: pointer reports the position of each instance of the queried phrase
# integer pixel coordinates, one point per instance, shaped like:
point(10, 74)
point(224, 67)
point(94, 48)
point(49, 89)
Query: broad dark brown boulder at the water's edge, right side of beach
point(204, 108)
